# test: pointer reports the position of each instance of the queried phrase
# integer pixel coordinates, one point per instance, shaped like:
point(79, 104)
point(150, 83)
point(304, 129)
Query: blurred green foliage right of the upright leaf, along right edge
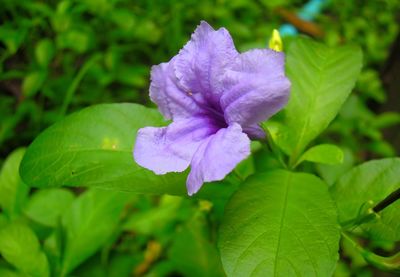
point(374, 26)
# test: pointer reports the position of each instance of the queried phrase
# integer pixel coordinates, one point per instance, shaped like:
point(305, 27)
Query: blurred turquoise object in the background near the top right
point(309, 11)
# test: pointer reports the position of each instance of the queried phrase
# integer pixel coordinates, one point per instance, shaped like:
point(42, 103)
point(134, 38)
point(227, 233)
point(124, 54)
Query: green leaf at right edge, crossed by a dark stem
point(365, 186)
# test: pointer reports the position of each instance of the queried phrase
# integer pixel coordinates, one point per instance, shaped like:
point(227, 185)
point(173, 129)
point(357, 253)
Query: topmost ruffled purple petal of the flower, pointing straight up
point(203, 60)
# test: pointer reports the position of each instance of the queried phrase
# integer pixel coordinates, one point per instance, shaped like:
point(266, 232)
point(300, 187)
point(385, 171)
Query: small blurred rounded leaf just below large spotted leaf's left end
point(46, 206)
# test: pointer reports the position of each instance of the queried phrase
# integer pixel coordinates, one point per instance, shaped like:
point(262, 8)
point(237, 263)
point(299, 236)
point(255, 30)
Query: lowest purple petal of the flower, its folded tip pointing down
point(217, 156)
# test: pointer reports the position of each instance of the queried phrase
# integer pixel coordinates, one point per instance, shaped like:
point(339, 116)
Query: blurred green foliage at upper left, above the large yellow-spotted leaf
point(58, 56)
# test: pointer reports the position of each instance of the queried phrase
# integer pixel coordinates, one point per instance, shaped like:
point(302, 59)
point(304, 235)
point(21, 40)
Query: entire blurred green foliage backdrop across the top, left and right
point(59, 56)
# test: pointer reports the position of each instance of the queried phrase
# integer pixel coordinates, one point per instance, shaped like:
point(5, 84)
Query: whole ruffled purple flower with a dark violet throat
point(215, 97)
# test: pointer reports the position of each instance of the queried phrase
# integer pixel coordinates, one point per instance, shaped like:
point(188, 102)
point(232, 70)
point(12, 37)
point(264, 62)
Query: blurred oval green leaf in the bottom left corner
point(20, 247)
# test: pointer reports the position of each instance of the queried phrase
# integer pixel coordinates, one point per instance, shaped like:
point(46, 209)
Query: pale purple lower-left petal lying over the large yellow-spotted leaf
point(171, 148)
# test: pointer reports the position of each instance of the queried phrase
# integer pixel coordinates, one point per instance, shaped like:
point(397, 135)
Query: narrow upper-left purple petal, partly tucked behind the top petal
point(172, 101)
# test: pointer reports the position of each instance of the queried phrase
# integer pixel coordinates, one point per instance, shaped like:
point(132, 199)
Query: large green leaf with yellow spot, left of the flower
point(93, 147)
